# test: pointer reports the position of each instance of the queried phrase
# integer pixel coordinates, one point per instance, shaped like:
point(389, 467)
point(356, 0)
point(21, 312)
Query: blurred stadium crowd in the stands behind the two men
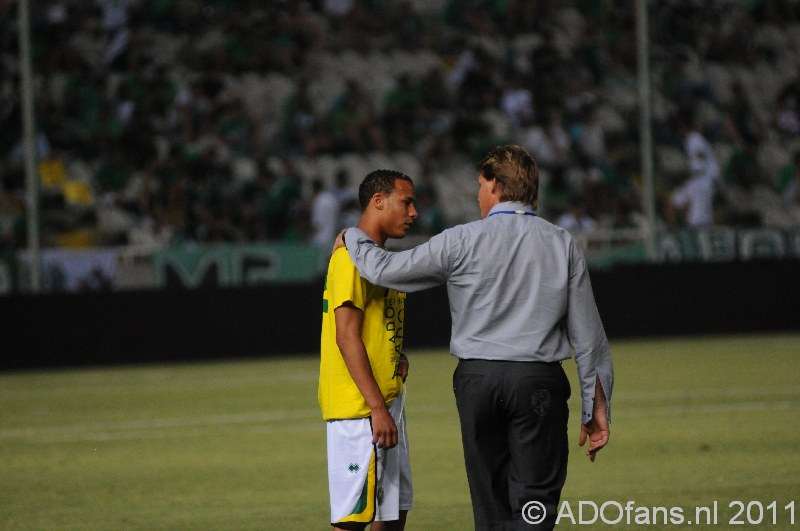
point(146, 132)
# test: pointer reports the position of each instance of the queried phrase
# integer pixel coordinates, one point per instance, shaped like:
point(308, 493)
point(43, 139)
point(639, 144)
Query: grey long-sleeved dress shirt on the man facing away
point(518, 289)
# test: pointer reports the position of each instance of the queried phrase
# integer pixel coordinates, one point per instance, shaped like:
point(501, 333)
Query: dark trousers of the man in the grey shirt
point(514, 431)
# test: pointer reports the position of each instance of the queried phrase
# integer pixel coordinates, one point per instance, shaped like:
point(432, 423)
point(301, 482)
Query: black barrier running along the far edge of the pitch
point(180, 325)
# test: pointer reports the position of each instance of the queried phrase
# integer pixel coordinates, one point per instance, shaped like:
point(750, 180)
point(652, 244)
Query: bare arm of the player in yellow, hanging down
point(348, 337)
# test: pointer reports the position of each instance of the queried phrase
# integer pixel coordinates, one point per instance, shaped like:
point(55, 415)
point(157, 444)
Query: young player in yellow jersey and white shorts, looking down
point(362, 372)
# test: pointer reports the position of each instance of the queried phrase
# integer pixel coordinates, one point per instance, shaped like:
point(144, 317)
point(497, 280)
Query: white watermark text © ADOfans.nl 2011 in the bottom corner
point(736, 512)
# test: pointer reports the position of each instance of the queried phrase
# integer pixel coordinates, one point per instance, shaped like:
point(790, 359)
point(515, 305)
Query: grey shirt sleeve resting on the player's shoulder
point(425, 266)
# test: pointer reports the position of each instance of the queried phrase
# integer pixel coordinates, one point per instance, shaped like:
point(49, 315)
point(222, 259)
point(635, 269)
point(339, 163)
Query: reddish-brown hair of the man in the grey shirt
point(516, 169)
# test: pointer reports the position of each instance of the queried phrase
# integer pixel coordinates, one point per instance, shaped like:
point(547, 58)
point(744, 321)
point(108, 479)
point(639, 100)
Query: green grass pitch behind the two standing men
point(240, 445)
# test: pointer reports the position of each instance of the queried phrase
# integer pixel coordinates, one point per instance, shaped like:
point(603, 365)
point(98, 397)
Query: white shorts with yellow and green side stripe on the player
point(365, 482)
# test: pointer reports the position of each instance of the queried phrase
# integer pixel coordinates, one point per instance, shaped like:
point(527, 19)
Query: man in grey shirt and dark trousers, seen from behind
point(521, 302)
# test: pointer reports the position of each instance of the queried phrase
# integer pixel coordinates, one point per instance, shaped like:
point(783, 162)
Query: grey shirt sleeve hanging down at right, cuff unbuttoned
point(588, 338)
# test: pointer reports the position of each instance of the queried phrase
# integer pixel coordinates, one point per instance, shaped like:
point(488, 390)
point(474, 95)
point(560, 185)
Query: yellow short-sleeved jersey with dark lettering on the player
point(382, 333)
